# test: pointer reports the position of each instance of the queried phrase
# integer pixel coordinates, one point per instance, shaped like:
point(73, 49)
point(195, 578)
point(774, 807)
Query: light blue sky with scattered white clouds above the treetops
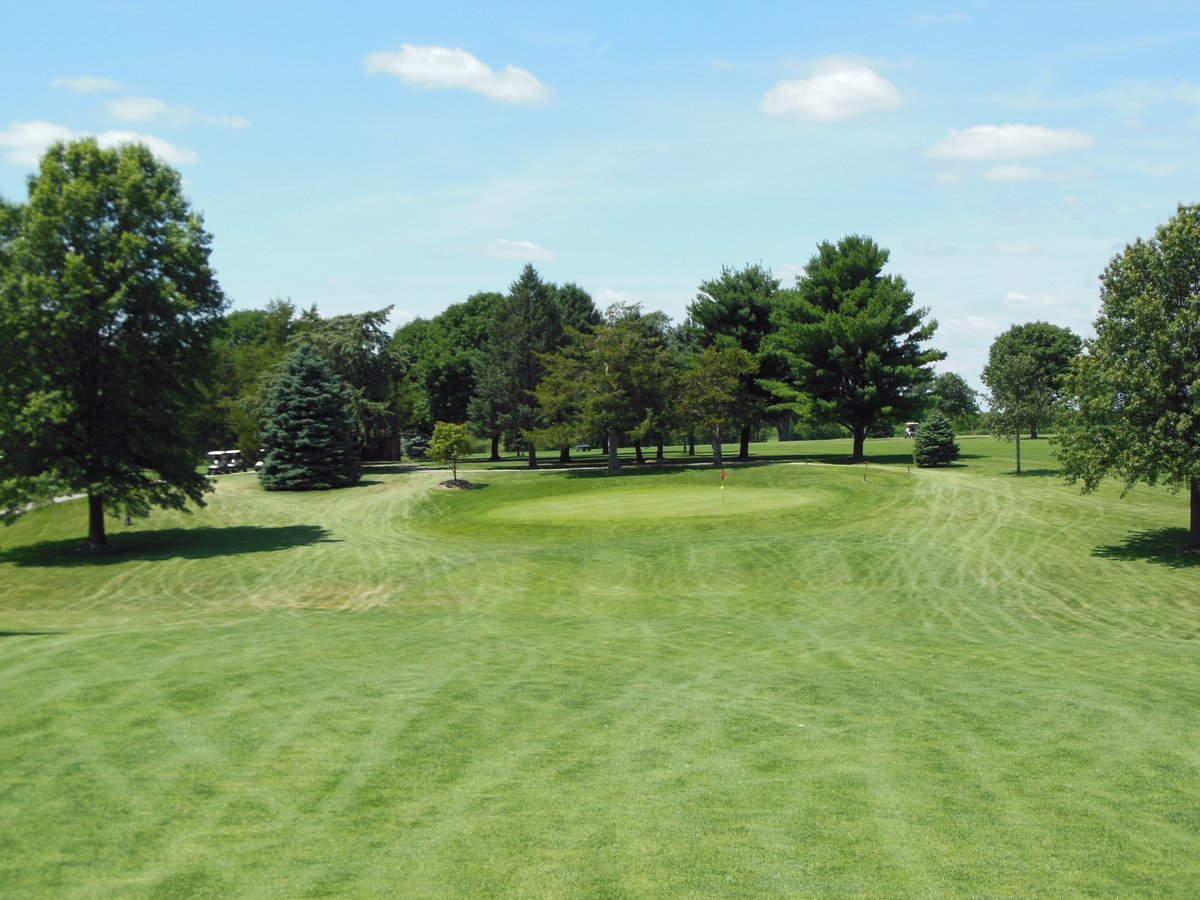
point(373, 154)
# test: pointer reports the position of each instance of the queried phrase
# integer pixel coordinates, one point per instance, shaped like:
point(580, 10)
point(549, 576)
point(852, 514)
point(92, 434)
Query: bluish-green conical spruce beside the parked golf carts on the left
point(309, 433)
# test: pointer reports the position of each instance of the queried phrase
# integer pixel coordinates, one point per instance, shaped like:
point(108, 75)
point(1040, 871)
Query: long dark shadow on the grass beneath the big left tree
point(170, 544)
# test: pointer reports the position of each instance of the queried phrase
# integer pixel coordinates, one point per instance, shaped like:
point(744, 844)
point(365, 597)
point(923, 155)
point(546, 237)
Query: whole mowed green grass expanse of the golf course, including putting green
point(825, 680)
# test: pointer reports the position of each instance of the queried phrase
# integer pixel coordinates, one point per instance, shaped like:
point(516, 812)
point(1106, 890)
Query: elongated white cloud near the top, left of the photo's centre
point(454, 68)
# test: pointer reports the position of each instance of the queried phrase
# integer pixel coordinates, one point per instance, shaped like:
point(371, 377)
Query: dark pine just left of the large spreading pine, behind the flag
point(735, 310)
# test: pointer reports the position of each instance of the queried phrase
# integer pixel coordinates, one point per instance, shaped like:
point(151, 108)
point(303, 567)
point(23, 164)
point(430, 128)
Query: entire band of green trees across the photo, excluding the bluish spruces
point(110, 386)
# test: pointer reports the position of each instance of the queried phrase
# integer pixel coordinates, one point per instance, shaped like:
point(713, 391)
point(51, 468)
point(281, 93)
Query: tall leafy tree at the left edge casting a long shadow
point(107, 311)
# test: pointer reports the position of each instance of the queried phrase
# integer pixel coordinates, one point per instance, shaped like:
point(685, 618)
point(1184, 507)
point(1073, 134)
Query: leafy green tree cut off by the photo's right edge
point(1135, 398)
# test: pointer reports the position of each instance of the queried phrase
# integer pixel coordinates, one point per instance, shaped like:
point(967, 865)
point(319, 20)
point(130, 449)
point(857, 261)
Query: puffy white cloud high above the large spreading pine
point(839, 89)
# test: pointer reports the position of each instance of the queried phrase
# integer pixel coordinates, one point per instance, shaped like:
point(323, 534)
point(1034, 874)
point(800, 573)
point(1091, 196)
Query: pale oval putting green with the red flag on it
point(652, 505)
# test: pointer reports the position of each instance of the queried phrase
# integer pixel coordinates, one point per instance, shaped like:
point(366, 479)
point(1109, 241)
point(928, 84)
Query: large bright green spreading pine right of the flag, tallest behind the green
point(854, 339)
